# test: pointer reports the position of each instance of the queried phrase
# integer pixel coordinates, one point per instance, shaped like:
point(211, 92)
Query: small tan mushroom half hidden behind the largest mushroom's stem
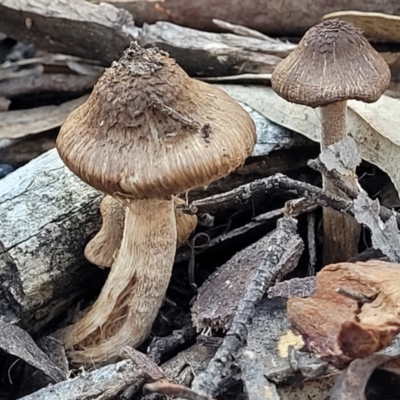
point(103, 247)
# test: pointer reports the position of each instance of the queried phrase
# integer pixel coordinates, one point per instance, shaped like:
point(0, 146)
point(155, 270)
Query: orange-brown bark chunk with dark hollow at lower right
point(338, 327)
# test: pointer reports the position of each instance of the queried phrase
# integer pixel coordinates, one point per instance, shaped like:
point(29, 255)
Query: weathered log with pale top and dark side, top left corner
point(75, 27)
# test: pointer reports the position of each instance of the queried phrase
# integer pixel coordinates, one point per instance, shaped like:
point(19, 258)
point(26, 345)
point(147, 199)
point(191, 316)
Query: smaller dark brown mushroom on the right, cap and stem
point(333, 63)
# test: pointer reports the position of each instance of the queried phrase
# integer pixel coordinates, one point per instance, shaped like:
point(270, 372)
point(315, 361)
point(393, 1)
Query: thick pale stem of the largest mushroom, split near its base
point(134, 291)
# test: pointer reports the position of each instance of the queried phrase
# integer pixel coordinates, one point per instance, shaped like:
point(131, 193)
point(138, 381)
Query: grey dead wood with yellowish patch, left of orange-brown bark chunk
point(271, 363)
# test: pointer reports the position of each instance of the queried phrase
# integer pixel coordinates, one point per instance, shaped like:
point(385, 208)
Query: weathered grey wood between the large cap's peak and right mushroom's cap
point(213, 54)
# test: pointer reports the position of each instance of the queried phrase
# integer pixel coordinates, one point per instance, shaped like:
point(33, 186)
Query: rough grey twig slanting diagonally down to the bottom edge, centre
point(282, 253)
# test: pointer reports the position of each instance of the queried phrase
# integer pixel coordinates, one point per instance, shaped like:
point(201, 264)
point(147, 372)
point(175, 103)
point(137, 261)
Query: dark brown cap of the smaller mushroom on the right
point(333, 62)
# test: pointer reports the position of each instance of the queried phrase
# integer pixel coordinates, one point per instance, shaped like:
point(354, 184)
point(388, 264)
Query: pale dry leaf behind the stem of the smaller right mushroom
point(374, 127)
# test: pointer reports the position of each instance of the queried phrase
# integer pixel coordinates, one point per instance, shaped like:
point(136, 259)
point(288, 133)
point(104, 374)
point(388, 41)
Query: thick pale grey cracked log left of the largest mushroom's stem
point(46, 217)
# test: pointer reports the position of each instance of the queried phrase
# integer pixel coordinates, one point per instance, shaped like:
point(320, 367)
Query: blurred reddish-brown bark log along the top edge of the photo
point(280, 18)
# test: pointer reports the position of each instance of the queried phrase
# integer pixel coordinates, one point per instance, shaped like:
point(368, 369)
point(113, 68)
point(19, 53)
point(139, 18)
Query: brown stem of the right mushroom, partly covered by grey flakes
point(341, 232)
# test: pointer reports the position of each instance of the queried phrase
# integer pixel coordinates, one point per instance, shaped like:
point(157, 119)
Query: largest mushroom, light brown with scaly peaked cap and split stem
point(147, 131)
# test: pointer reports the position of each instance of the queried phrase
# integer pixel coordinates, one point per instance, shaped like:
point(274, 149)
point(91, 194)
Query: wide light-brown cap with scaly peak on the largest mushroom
point(149, 130)
